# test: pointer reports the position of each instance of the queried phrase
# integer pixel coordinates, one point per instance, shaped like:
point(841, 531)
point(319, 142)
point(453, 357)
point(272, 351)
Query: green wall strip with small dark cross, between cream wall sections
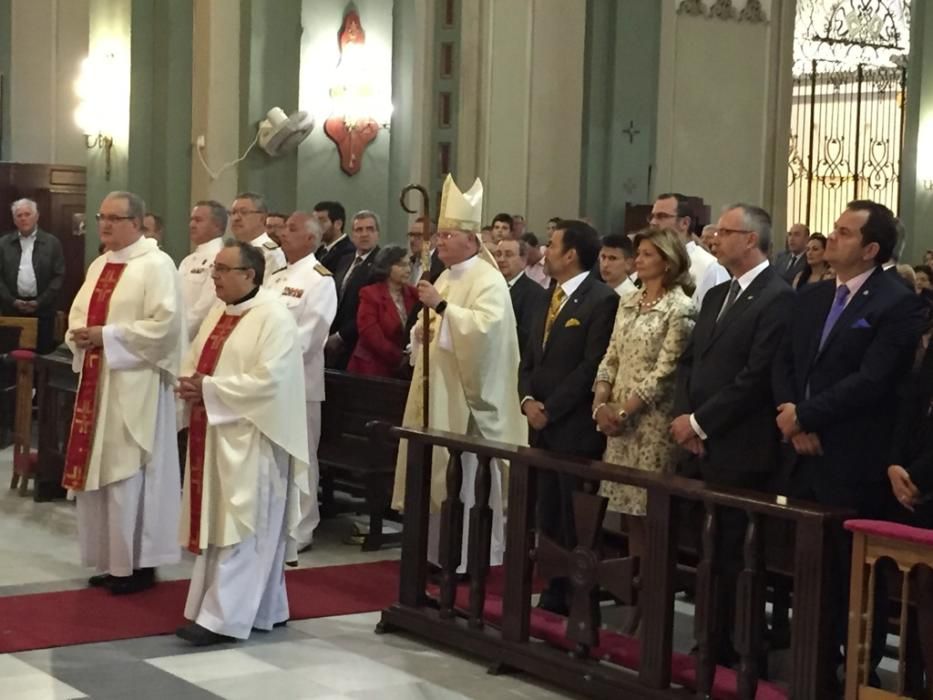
point(621, 86)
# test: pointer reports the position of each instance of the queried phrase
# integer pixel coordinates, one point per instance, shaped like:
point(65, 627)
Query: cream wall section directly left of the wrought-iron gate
point(722, 110)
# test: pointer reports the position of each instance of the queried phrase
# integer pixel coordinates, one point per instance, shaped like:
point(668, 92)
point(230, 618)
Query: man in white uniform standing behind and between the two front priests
point(206, 227)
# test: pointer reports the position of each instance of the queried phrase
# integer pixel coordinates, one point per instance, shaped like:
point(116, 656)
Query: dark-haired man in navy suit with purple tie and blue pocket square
point(849, 343)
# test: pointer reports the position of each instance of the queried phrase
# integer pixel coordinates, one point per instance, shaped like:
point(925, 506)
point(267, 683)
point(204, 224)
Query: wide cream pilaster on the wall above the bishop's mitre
point(521, 106)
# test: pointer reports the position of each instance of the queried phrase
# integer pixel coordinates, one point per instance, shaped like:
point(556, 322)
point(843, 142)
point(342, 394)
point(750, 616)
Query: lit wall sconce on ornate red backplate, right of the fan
point(358, 109)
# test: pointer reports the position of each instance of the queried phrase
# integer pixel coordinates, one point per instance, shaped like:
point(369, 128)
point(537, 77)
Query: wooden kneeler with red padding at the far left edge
point(24, 460)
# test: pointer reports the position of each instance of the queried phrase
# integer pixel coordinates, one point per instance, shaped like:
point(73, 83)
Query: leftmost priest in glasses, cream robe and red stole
point(126, 331)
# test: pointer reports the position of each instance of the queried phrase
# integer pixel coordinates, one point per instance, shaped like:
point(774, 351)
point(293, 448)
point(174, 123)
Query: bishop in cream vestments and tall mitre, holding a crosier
point(473, 365)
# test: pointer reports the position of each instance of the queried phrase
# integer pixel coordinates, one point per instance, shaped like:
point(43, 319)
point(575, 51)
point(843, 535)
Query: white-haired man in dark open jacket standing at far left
point(32, 267)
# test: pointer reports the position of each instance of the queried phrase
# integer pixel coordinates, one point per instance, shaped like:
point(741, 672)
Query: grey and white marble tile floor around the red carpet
point(336, 658)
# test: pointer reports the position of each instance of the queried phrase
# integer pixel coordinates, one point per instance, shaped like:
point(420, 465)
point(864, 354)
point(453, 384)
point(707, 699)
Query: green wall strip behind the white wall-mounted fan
point(270, 41)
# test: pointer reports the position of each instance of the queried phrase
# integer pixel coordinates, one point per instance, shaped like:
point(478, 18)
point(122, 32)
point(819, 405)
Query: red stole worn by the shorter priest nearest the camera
point(197, 427)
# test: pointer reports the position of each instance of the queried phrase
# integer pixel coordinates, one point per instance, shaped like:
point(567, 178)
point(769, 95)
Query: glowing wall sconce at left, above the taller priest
point(96, 81)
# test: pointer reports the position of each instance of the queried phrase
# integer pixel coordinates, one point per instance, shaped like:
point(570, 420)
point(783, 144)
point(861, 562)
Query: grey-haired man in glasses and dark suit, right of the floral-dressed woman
point(724, 403)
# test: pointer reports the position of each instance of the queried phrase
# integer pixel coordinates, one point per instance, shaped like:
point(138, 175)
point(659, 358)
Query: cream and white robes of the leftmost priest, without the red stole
point(128, 510)
